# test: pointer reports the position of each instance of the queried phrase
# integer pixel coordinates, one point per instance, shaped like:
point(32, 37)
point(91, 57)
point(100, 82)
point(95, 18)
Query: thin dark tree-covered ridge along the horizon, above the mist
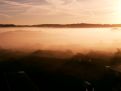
point(79, 25)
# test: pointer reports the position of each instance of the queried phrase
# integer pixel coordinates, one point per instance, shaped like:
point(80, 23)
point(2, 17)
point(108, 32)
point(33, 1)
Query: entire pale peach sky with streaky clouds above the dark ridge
point(59, 11)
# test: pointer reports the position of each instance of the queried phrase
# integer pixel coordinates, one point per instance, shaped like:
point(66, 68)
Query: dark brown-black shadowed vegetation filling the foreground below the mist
point(59, 71)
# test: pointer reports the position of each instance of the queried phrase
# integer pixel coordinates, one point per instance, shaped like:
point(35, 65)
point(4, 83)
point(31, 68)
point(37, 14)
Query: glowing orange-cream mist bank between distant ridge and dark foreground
point(77, 39)
